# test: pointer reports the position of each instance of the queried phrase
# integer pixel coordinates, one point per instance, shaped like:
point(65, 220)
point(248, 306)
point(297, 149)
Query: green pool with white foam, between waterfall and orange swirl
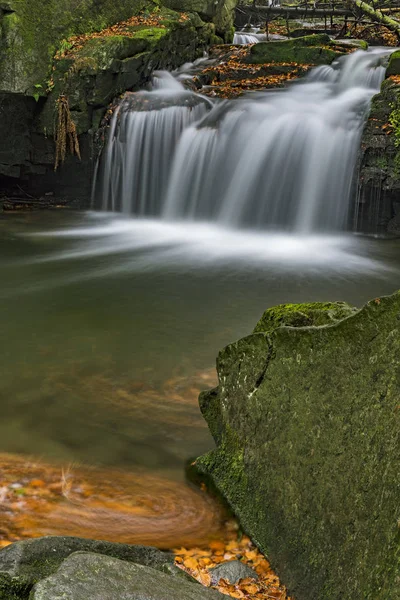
point(111, 325)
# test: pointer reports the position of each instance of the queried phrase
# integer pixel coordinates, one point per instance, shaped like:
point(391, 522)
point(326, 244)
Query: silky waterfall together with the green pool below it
point(205, 215)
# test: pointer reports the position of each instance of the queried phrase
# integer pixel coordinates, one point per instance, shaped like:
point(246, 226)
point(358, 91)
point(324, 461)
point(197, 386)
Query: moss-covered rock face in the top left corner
point(31, 32)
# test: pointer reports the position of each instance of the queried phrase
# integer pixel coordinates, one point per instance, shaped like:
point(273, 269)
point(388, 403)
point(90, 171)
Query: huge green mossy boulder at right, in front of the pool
point(306, 419)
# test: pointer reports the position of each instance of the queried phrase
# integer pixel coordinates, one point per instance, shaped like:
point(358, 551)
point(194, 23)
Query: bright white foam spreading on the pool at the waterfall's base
point(152, 244)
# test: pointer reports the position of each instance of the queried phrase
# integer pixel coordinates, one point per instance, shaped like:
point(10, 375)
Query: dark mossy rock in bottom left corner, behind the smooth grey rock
point(24, 563)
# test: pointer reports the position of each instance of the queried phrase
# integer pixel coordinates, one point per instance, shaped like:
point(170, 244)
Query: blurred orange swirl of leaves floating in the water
point(38, 499)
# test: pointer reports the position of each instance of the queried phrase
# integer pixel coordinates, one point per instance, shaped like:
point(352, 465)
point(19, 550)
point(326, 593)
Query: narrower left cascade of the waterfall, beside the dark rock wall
point(144, 134)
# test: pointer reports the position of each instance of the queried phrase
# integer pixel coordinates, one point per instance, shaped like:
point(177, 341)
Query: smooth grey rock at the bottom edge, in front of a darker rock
point(85, 575)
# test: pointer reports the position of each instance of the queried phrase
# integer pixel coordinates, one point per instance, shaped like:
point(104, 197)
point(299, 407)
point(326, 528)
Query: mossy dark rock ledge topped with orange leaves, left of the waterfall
point(107, 66)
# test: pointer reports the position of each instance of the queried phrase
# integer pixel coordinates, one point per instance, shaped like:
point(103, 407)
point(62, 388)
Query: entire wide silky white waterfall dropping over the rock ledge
point(280, 159)
